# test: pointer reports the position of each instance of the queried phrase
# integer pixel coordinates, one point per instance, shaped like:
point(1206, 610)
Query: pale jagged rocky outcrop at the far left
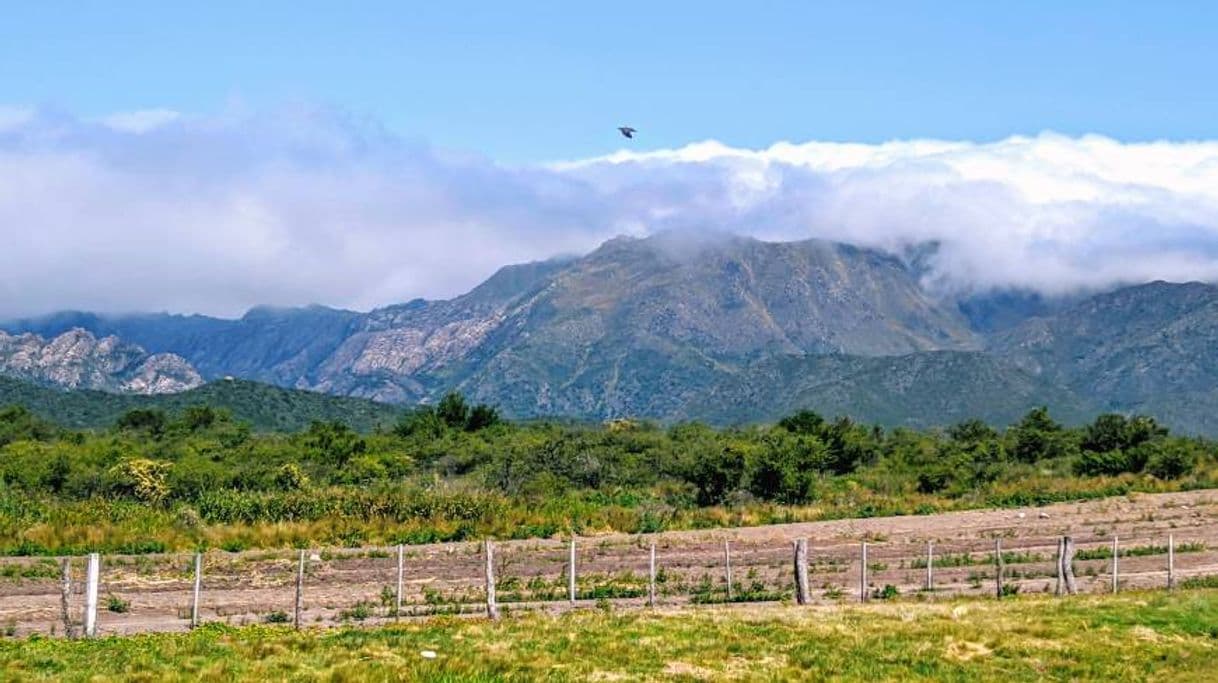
point(77, 360)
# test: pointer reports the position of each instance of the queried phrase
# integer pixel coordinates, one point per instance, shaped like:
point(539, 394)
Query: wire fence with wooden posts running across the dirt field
point(127, 595)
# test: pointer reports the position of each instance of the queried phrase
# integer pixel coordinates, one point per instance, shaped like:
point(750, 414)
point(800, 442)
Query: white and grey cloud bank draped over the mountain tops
point(165, 211)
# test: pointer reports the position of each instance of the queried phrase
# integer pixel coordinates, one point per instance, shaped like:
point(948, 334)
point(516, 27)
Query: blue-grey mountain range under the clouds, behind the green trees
point(725, 329)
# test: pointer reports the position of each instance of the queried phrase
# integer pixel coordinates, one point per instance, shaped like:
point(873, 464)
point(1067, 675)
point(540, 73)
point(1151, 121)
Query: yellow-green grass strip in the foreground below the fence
point(1131, 637)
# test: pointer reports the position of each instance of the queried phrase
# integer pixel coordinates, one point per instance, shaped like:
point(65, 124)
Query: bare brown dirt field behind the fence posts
point(154, 592)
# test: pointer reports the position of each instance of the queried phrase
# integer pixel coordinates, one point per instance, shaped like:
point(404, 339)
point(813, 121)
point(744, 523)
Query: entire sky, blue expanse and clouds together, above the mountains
point(210, 158)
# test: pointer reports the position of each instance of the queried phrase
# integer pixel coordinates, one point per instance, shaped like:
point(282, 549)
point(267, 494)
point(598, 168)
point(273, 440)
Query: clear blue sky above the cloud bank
point(546, 81)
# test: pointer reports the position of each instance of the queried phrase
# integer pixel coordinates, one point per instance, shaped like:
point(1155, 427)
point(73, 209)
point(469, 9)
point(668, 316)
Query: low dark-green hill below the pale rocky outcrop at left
point(266, 408)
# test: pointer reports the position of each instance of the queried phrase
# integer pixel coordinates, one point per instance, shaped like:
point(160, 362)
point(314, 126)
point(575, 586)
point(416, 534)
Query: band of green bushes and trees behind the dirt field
point(159, 482)
